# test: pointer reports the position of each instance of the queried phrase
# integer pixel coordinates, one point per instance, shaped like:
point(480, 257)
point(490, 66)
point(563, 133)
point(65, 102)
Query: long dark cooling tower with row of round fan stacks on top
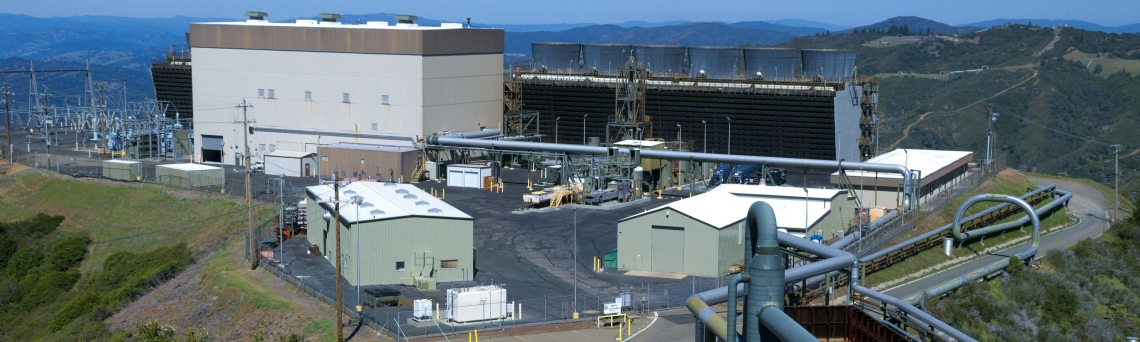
point(804, 104)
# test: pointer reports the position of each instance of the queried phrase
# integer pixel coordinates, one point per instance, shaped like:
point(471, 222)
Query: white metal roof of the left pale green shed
point(384, 201)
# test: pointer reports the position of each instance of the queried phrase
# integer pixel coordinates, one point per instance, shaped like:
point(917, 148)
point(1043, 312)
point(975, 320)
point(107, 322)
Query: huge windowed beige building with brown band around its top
point(312, 84)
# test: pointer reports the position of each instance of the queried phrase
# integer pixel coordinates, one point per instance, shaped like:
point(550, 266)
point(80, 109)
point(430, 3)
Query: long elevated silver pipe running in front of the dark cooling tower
point(908, 183)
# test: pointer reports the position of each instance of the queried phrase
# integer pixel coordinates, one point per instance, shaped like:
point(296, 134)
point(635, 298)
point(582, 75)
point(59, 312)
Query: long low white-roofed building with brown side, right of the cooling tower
point(937, 170)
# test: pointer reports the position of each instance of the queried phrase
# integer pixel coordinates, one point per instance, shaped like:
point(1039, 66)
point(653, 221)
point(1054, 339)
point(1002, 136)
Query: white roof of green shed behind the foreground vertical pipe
point(728, 205)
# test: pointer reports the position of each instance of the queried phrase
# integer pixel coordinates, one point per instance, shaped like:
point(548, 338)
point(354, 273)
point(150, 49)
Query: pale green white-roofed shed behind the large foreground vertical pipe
point(704, 235)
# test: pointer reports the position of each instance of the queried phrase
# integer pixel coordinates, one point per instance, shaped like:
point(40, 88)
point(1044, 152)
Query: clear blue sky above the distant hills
point(605, 12)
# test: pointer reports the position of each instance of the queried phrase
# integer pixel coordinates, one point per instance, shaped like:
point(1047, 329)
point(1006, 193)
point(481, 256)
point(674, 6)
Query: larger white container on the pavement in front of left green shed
point(477, 304)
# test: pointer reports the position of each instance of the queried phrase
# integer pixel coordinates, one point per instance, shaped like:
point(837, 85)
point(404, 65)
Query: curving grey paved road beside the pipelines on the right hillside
point(1087, 203)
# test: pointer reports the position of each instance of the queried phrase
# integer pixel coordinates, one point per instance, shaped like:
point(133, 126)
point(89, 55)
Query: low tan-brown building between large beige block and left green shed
point(377, 162)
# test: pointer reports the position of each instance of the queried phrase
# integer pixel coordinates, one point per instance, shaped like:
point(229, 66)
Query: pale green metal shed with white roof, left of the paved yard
point(394, 234)
